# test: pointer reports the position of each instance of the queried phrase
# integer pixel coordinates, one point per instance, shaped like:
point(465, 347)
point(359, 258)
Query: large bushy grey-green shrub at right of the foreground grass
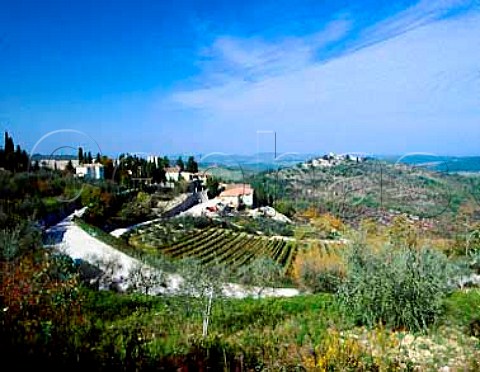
point(396, 287)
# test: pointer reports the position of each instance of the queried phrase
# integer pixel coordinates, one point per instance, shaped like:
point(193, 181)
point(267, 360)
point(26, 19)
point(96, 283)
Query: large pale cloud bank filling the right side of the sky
point(411, 89)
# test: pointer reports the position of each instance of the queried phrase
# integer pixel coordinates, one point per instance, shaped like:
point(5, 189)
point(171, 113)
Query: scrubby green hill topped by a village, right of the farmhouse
point(377, 188)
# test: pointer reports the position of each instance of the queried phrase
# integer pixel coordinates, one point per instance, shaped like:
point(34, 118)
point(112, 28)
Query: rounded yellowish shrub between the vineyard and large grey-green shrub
point(318, 271)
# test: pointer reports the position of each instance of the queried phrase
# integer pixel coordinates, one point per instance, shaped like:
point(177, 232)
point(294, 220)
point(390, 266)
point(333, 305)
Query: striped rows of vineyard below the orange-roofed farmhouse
point(223, 246)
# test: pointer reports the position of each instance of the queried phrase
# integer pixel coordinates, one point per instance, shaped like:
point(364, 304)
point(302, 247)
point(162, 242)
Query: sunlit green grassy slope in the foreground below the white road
point(275, 333)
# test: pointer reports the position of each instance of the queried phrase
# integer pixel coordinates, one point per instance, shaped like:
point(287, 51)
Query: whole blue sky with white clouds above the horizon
point(202, 76)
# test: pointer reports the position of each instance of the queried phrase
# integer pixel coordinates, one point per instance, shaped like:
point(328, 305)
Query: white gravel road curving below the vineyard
point(78, 244)
